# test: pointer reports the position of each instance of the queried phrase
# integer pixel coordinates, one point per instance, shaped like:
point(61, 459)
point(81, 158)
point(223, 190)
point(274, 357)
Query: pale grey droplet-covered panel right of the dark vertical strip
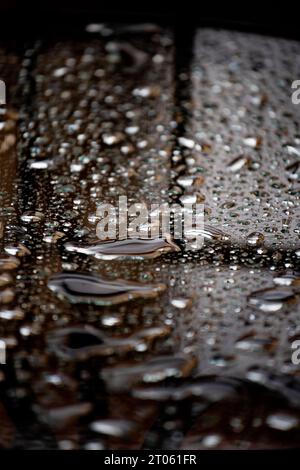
point(246, 134)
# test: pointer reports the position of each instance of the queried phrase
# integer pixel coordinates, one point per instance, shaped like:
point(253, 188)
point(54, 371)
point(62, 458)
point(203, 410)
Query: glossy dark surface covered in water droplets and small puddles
point(149, 344)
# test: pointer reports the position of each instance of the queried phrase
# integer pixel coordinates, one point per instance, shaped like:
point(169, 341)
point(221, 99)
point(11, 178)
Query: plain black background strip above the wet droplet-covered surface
point(21, 18)
